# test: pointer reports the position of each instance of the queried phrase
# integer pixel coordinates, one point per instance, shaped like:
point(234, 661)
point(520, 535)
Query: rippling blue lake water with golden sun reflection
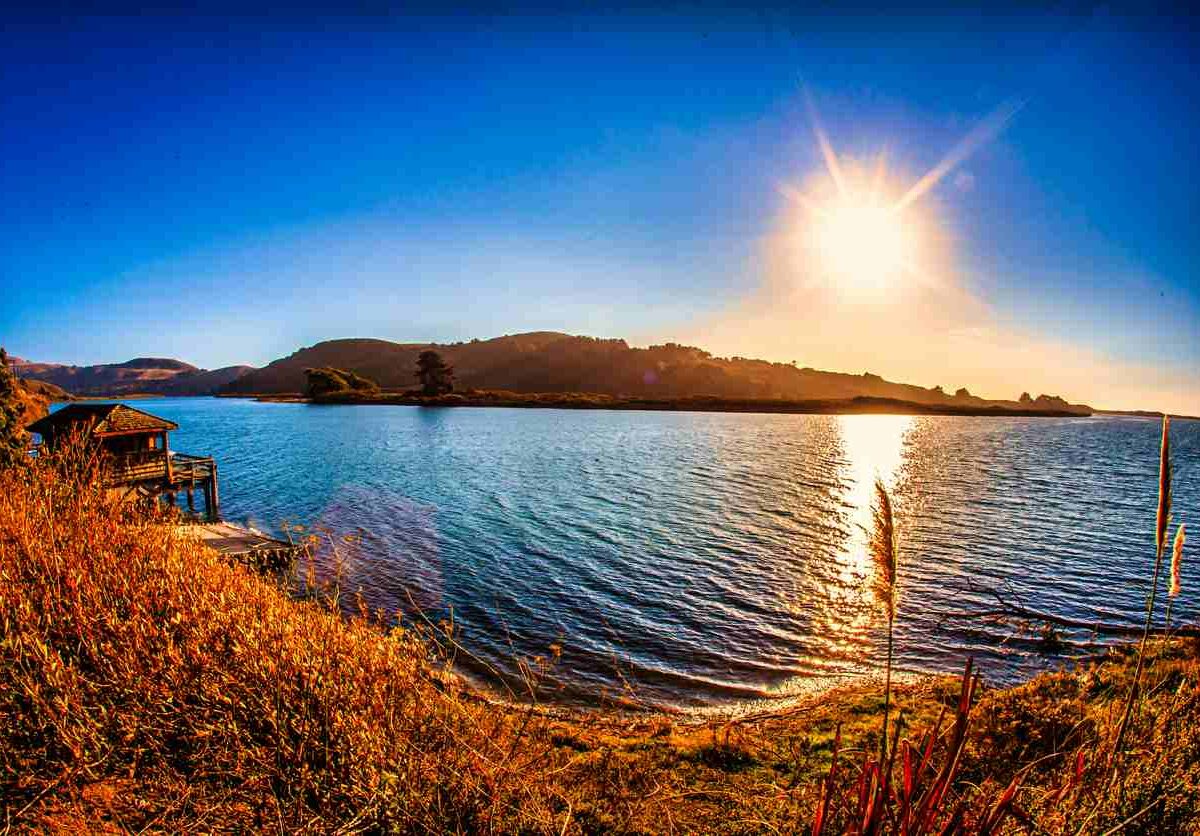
point(698, 560)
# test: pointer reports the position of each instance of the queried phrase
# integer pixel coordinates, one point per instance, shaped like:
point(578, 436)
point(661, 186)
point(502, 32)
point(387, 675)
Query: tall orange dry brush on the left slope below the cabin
point(146, 683)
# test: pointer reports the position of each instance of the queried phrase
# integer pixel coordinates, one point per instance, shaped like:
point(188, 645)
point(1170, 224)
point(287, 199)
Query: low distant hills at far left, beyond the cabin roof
point(142, 376)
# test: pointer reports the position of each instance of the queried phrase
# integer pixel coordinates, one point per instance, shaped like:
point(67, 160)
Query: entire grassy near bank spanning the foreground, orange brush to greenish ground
point(148, 687)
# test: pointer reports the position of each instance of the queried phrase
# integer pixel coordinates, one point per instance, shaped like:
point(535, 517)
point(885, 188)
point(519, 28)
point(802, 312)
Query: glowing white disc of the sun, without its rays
point(863, 246)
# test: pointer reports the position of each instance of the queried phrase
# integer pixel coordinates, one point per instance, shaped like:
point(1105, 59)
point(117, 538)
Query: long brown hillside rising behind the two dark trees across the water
point(547, 362)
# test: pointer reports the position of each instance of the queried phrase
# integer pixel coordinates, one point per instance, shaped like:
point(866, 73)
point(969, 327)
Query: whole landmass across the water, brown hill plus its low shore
point(548, 369)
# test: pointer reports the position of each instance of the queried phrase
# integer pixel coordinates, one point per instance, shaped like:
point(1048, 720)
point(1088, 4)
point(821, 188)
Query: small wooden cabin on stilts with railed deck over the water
point(139, 459)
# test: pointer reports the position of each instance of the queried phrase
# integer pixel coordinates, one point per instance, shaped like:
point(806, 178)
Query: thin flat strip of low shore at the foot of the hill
point(857, 406)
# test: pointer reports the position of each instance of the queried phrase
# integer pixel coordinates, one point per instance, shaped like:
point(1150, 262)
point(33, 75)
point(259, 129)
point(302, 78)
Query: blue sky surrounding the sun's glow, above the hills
point(230, 191)
